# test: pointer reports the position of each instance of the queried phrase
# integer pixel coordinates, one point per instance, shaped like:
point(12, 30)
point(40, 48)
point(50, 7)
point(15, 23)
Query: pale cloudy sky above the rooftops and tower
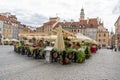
point(37, 12)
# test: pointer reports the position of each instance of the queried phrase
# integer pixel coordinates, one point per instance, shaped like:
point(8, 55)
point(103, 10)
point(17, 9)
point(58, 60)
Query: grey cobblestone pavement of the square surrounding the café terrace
point(104, 65)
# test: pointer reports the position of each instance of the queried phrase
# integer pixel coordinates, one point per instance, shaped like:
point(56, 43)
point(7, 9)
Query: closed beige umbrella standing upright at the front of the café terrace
point(59, 43)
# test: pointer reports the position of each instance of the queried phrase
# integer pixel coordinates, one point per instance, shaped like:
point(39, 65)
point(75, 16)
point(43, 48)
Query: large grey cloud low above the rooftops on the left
point(27, 17)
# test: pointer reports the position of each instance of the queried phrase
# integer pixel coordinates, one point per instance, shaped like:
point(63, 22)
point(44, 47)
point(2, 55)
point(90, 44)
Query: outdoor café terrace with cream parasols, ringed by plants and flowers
point(66, 47)
